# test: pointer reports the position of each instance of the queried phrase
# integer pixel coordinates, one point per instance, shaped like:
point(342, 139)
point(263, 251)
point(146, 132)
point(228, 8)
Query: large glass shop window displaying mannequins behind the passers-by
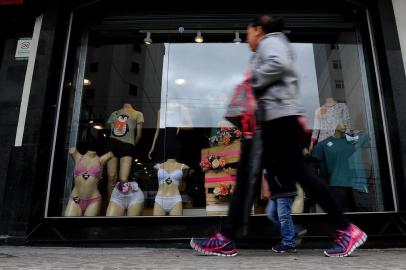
point(142, 132)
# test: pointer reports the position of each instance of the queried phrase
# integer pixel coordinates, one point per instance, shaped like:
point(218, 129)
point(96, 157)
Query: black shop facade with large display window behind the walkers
point(97, 95)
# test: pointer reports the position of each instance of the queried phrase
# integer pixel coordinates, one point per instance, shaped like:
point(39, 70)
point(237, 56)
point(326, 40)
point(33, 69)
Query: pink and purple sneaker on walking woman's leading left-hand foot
point(217, 245)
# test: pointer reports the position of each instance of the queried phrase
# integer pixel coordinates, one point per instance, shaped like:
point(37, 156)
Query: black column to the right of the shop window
point(393, 78)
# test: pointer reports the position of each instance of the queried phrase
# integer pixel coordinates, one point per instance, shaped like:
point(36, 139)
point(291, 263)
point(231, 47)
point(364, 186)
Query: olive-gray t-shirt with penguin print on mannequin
point(123, 125)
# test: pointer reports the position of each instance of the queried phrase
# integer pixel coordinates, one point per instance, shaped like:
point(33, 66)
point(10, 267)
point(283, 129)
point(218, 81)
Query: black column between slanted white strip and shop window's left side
point(29, 164)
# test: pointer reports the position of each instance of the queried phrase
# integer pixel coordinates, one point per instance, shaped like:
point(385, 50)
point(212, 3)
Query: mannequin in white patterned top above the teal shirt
point(326, 119)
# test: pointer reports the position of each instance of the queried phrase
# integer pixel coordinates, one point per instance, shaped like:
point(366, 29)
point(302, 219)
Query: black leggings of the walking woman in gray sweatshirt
point(282, 139)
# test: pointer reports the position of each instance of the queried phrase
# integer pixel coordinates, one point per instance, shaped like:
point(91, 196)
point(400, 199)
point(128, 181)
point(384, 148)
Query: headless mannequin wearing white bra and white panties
point(168, 199)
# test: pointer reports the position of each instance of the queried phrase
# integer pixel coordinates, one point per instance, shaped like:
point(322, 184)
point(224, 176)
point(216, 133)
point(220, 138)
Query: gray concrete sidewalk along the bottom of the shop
point(55, 258)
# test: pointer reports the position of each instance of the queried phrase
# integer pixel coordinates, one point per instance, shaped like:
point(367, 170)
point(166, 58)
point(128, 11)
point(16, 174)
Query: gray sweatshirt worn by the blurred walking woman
point(274, 80)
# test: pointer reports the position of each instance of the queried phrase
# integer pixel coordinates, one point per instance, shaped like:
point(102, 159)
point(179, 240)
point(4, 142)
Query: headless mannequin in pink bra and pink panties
point(85, 198)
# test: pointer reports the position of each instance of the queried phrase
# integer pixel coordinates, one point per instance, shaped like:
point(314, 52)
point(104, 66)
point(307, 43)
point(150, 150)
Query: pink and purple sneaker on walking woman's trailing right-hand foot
point(346, 242)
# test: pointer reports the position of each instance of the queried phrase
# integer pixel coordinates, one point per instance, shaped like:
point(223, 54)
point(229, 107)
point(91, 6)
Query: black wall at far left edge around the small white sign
point(16, 21)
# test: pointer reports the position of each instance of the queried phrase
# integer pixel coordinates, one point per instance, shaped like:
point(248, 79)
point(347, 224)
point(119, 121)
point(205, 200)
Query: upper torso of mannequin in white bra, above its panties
point(170, 174)
